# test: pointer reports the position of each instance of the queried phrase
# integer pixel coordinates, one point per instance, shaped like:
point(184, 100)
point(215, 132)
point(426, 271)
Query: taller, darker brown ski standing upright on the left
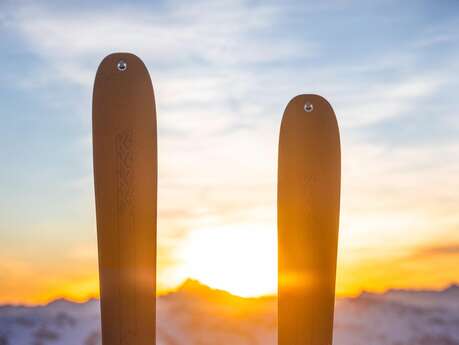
point(125, 178)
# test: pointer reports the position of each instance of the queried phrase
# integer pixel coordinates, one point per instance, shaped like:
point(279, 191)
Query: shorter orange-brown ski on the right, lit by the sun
point(309, 173)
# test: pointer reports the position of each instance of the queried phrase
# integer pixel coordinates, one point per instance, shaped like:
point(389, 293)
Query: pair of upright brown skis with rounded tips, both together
point(125, 174)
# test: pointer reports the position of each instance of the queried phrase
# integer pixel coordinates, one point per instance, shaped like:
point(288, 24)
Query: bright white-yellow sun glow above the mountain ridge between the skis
point(241, 259)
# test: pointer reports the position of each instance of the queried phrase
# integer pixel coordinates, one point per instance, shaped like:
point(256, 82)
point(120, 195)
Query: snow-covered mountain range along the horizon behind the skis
point(196, 314)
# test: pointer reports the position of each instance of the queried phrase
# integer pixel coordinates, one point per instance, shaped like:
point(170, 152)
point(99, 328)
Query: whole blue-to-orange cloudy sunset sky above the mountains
point(223, 73)
